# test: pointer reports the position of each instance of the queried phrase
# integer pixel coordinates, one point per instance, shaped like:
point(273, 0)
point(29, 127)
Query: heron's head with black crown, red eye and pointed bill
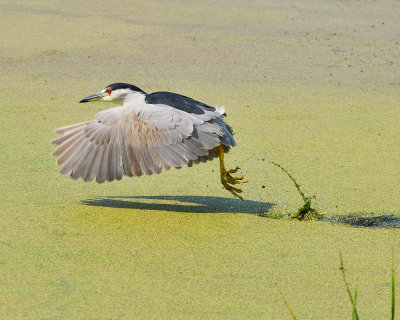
point(116, 92)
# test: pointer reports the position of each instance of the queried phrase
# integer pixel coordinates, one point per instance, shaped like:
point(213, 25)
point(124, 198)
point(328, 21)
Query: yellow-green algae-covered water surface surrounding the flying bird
point(311, 85)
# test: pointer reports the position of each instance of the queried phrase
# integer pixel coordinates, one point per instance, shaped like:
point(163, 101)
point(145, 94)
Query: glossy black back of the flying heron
point(178, 101)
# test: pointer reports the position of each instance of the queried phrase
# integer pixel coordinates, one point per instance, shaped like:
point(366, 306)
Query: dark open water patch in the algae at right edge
point(385, 221)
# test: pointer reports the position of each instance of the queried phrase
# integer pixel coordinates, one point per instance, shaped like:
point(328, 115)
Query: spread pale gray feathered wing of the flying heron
point(129, 141)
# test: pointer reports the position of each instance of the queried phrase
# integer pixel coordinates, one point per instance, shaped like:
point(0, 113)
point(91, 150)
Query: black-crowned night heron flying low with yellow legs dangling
point(147, 133)
